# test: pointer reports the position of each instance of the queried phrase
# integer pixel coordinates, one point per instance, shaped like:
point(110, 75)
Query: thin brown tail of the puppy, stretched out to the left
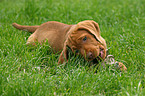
point(27, 28)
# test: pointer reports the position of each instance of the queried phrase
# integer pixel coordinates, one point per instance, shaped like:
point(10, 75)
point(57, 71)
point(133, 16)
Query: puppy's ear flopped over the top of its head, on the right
point(93, 28)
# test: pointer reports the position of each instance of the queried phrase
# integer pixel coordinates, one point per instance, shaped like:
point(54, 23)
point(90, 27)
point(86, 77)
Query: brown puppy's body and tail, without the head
point(52, 31)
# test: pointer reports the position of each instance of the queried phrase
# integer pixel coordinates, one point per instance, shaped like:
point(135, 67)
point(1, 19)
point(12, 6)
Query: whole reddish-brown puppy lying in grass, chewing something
point(83, 38)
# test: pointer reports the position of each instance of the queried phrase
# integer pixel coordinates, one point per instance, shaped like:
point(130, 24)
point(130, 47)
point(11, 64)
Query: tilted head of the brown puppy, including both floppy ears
point(85, 39)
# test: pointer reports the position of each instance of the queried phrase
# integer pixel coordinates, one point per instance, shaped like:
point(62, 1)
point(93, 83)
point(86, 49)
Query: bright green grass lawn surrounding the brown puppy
point(34, 71)
